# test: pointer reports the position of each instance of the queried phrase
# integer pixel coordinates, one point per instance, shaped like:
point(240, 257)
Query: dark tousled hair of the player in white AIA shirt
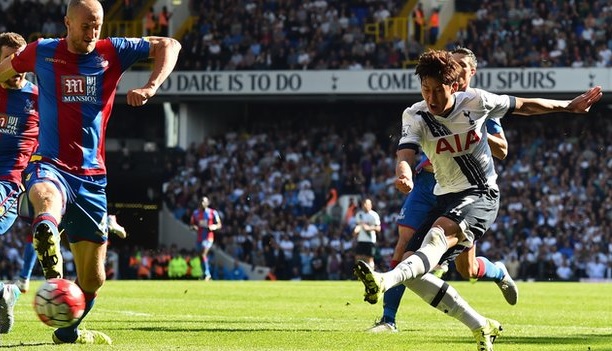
point(438, 64)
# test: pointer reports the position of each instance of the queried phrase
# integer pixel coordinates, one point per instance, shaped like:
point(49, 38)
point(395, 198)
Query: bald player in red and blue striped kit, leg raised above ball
point(66, 177)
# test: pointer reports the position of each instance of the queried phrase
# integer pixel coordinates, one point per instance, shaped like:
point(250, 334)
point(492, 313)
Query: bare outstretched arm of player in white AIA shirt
point(580, 104)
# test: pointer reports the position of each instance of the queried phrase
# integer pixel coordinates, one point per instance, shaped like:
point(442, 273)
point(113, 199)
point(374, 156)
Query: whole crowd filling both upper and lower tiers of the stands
point(555, 182)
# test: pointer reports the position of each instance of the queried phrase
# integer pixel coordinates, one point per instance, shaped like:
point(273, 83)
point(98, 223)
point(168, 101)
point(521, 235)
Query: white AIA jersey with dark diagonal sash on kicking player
point(457, 144)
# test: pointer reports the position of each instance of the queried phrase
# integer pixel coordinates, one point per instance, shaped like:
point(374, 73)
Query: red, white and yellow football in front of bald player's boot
point(59, 302)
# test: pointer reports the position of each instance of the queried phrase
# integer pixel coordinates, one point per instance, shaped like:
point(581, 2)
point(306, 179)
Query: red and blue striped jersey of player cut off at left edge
point(18, 129)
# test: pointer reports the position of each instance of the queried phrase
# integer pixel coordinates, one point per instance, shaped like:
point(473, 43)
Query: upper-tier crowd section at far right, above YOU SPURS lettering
point(542, 33)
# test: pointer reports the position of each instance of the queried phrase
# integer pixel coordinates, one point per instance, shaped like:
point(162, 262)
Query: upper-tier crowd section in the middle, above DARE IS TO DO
point(319, 34)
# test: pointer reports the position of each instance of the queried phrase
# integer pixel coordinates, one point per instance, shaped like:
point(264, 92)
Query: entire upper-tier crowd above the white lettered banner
point(321, 34)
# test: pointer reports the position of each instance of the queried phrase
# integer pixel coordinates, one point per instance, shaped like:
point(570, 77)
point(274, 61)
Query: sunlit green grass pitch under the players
point(275, 315)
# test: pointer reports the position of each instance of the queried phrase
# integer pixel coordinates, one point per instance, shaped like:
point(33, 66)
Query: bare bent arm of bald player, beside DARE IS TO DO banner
point(164, 52)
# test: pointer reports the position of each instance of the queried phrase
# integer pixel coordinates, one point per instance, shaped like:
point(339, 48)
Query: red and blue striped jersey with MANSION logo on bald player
point(77, 92)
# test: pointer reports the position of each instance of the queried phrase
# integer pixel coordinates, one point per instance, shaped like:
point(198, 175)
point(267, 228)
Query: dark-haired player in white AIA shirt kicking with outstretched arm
point(450, 128)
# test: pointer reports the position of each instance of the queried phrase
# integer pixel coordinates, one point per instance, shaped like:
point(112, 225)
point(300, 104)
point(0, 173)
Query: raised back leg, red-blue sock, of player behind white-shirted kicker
point(473, 268)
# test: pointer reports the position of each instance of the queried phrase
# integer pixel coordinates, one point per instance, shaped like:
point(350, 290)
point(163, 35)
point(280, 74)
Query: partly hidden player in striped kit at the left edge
point(18, 133)
